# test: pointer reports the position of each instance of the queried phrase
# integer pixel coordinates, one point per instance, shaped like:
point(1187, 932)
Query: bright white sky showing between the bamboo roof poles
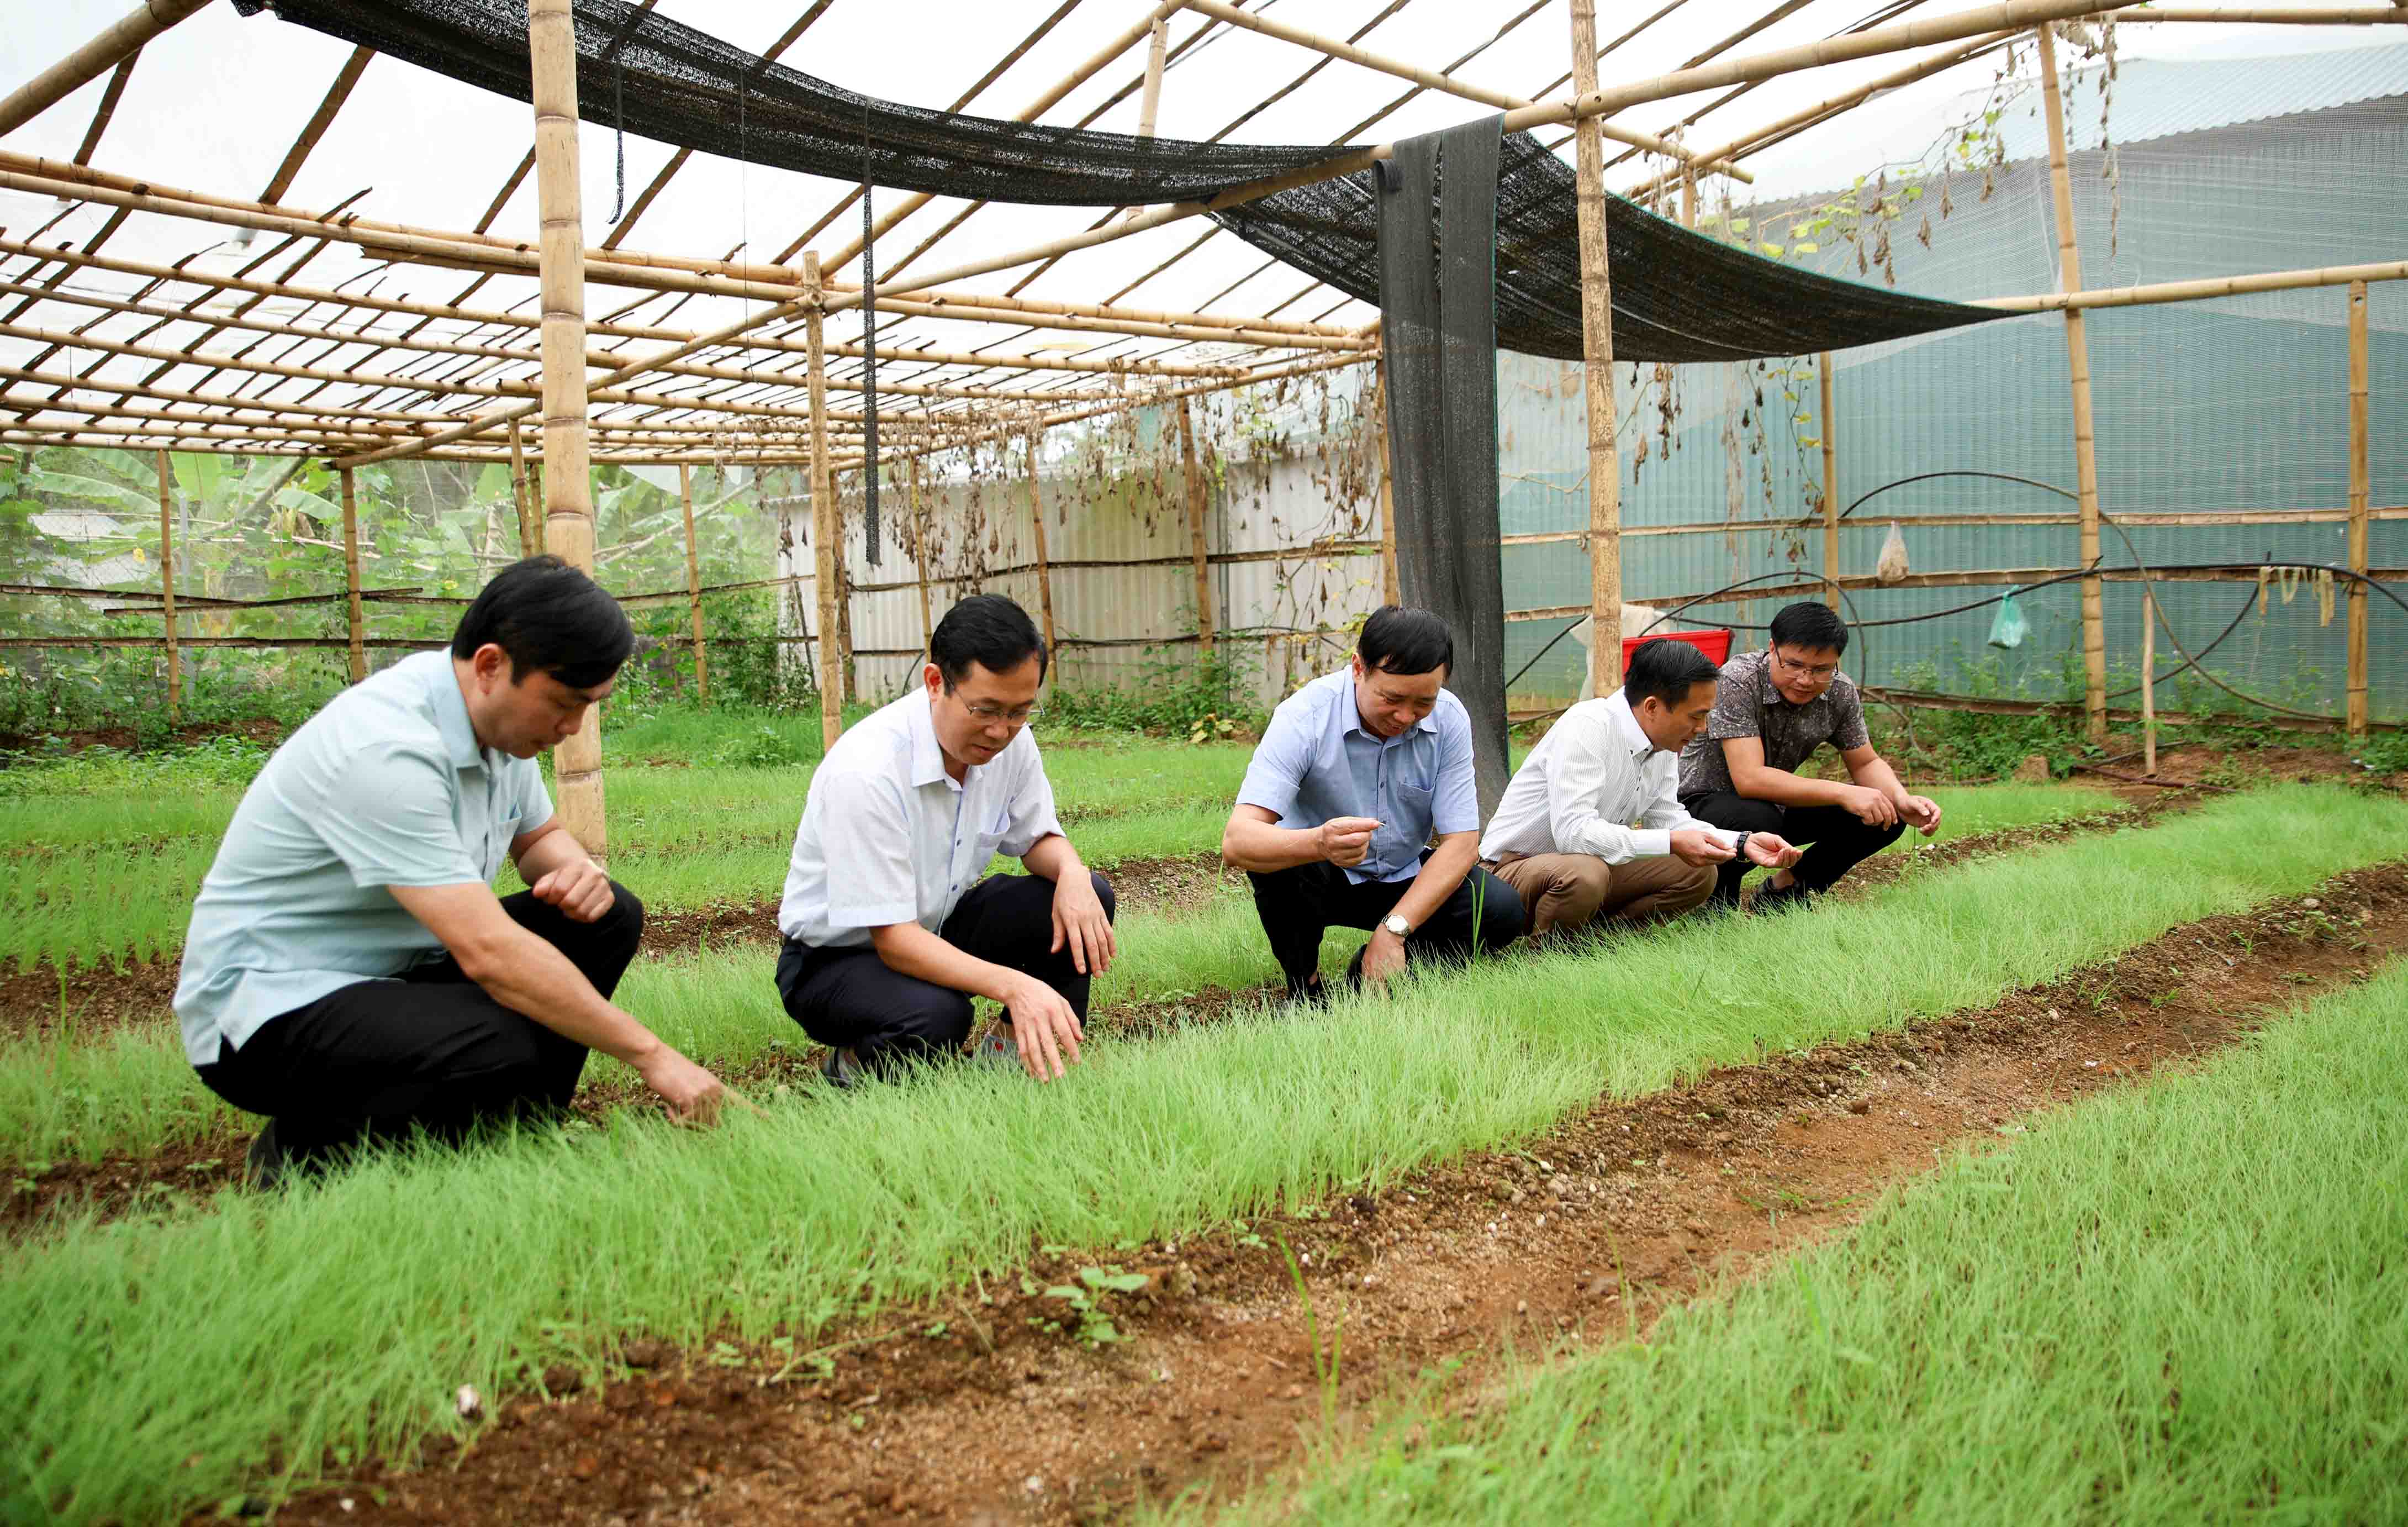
point(218, 102)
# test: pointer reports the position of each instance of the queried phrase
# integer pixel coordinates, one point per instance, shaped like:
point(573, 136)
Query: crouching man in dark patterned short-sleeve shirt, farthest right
point(1771, 712)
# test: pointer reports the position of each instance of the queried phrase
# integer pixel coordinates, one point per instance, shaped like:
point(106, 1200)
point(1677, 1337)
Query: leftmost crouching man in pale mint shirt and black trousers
point(350, 972)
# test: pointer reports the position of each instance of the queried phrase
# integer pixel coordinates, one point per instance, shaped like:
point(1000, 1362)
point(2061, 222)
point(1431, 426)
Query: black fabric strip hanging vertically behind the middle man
point(1441, 329)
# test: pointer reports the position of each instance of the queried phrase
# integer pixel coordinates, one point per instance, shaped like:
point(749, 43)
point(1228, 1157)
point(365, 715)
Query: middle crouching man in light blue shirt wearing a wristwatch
point(1335, 825)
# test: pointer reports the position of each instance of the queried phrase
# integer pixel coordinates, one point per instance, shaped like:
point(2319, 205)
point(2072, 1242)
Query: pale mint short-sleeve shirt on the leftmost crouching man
point(386, 786)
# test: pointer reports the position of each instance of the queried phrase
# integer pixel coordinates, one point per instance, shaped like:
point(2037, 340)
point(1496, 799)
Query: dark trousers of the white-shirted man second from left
point(851, 1001)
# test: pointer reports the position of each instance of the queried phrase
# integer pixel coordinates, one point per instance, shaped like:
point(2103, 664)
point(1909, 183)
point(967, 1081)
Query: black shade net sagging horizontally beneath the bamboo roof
point(1677, 295)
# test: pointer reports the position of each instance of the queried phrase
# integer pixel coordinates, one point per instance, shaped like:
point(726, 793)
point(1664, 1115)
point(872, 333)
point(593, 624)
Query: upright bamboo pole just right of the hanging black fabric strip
point(1598, 350)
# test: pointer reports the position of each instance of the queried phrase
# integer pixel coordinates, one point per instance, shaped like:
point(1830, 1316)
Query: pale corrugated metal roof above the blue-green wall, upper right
point(2154, 98)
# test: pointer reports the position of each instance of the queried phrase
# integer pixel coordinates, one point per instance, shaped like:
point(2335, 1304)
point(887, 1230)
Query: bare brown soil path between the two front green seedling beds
point(979, 1410)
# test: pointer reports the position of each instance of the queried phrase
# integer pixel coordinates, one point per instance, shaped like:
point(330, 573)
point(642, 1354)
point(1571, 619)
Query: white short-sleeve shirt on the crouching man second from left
point(890, 837)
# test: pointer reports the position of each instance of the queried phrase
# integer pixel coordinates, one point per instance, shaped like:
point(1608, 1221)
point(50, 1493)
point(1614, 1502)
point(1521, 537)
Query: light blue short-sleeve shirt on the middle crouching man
point(1318, 760)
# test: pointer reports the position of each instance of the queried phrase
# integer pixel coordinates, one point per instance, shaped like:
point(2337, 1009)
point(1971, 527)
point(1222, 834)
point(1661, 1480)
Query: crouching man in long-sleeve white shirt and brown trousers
point(1590, 825)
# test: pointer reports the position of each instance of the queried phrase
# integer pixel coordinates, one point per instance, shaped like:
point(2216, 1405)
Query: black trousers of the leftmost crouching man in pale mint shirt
point(432, 1051)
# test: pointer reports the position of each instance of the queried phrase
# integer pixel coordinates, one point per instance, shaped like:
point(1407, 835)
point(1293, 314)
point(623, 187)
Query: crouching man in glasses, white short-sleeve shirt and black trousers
point(890, 928)
